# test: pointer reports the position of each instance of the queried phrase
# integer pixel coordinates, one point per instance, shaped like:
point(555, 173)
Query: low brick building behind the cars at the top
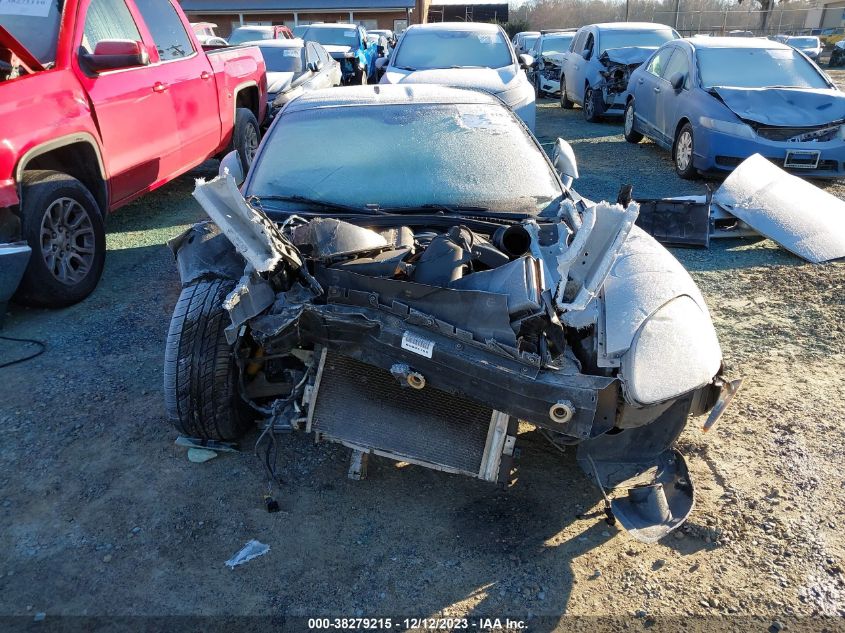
point(371, 14)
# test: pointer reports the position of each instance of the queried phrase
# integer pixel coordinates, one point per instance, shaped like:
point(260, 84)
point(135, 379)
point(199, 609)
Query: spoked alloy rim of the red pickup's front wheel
point(67, 241)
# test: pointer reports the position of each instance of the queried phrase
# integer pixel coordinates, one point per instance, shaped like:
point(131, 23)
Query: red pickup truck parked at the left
point(100, 102)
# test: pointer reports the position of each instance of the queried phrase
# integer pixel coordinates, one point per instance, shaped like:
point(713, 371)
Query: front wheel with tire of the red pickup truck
point(62, 223)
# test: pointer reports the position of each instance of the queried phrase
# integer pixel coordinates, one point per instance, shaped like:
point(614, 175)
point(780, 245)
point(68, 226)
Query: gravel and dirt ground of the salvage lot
point(103, 515)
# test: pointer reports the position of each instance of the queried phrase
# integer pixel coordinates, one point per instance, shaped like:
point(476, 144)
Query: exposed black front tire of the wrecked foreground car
point(201, 393)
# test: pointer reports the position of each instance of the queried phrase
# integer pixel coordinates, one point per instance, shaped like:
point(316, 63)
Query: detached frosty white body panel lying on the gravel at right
point(789, 210)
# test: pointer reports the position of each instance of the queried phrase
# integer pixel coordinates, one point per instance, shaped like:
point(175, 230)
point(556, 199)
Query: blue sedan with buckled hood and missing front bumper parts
point(716, 101)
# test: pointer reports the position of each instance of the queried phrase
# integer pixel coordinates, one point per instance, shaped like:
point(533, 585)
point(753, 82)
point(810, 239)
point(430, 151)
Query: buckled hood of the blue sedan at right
point(785, 107)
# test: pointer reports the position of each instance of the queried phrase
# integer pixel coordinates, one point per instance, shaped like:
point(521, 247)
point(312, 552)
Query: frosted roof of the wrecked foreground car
point(389, 94)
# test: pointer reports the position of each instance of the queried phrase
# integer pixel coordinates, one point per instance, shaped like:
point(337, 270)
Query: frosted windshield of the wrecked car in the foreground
point(405, 156)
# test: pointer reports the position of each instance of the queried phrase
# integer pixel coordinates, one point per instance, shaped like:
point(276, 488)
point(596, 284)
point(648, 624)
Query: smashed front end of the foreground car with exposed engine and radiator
point(426, 338)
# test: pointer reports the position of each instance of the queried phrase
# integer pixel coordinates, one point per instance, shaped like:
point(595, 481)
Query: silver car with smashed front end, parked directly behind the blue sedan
point(600, 61)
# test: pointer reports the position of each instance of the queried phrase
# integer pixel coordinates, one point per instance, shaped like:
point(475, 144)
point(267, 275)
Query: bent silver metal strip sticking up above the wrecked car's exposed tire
point(255, 236)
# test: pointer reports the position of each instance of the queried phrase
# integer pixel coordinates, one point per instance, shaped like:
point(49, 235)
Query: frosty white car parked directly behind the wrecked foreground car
point(465, 55)
